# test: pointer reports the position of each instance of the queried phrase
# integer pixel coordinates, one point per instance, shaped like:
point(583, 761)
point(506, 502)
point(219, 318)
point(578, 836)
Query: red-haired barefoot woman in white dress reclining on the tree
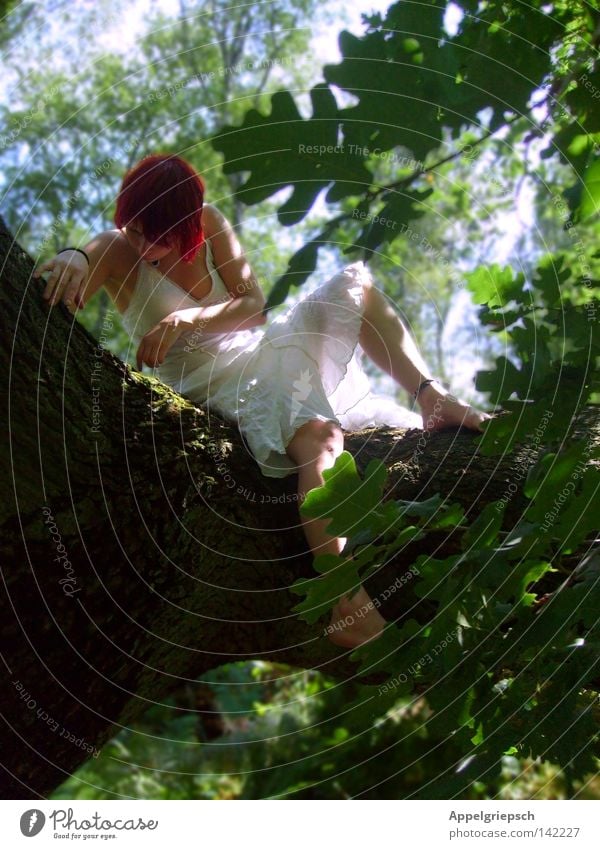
point(189, 299)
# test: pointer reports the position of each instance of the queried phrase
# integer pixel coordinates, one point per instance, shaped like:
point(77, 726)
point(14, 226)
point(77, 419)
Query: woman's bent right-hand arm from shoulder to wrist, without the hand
point(244, 309)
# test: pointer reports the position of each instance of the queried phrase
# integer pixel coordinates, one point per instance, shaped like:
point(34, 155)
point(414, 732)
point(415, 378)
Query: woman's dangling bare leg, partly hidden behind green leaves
point(314, 448)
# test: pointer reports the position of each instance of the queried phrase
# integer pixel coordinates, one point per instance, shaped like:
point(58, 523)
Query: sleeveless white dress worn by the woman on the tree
point(270, 380)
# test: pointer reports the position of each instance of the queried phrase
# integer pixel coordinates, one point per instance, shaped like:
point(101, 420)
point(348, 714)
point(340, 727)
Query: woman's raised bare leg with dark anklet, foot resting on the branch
point(387, 342)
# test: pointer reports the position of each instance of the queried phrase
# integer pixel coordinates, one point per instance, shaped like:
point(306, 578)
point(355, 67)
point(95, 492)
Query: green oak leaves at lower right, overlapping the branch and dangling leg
point(505, 668)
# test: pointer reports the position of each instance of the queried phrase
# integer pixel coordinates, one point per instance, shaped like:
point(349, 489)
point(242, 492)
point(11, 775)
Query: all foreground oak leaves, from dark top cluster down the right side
point(505, 668)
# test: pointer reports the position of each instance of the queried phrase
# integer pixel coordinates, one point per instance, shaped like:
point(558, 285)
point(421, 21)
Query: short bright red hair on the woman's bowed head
point(165, 194)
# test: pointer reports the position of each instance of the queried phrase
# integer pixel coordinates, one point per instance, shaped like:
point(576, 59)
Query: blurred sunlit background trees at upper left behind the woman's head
point(73, 128)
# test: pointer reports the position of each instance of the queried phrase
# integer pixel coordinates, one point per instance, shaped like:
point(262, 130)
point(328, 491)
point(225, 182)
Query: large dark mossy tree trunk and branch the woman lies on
point(142, 547)
